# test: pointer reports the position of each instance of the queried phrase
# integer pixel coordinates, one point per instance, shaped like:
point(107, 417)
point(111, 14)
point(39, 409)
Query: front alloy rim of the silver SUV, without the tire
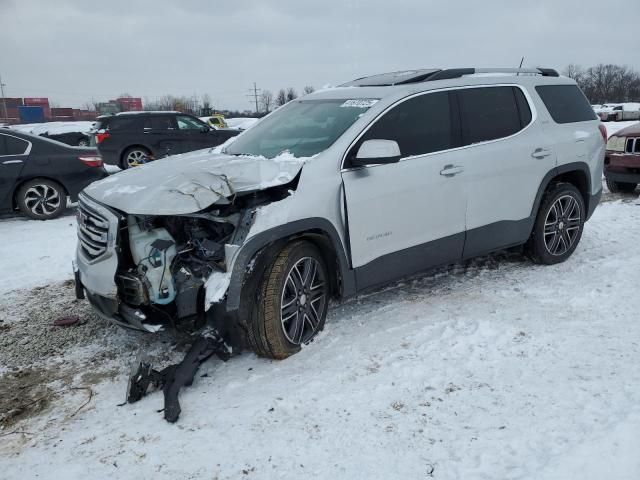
point(303, 300)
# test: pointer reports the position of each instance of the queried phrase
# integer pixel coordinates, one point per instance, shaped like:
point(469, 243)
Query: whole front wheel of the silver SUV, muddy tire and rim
point(305, 303)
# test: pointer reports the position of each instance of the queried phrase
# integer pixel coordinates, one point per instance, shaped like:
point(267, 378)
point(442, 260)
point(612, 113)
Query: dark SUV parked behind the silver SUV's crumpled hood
point(129, 139)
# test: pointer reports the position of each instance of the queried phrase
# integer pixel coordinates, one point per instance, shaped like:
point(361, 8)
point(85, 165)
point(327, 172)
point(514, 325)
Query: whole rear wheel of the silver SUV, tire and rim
point(558, 226)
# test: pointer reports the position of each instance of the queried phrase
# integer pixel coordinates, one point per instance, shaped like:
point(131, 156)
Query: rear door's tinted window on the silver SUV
point(489, 113)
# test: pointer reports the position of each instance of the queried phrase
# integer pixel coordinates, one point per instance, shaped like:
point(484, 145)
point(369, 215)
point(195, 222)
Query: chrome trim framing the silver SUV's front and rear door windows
point(527, 96)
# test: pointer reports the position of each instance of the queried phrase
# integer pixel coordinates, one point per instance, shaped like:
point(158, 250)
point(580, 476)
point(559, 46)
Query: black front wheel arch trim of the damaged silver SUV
point(273, 240)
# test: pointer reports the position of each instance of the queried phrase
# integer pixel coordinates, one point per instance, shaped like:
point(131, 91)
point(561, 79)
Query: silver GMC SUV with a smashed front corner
point(340, 191)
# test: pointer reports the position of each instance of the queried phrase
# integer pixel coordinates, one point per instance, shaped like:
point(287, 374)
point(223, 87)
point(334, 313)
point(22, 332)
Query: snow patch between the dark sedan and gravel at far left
point(35, 253)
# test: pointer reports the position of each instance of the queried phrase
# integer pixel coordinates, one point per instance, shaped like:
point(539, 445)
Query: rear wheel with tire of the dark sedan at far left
point(41, 199)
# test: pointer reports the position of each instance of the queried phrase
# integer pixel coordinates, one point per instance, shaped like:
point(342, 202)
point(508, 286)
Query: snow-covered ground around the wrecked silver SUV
point(494, 369)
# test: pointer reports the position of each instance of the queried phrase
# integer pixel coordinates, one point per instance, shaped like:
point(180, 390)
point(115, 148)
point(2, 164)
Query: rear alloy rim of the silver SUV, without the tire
point(562, 225)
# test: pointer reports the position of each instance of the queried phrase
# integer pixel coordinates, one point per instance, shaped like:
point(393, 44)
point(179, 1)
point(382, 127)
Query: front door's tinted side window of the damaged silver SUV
point(420, 125)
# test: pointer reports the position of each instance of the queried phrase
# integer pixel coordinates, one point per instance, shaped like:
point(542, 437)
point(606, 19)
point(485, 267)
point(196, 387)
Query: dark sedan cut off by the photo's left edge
point(38, 175)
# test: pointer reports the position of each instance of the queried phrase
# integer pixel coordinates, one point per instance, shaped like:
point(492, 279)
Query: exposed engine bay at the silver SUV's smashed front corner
point(165, 261)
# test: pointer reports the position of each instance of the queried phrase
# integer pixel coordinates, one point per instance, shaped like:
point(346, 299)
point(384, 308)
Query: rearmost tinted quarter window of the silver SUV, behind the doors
point(566, 103)
